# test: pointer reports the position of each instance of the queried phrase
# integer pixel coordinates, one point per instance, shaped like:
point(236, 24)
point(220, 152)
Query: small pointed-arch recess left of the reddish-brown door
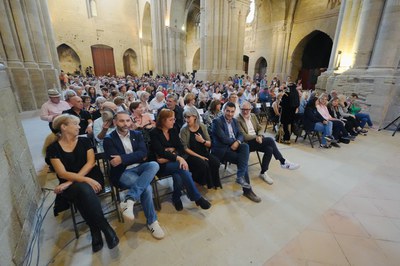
point(69, 59)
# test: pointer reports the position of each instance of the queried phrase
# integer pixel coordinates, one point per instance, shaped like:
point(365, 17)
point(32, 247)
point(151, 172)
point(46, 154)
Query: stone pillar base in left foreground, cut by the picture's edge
point(19, 190)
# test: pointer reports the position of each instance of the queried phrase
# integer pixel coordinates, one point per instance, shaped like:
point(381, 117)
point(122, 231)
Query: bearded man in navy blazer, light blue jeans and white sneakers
point(127, 153)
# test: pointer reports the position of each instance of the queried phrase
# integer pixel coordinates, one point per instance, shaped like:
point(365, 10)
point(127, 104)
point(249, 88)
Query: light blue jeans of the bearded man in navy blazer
point(137, 180)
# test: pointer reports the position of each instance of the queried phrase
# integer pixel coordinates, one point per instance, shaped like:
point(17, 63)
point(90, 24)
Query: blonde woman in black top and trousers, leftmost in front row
point(73, 160)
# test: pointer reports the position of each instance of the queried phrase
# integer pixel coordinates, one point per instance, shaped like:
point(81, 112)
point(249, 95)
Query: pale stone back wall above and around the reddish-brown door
point(116, 24)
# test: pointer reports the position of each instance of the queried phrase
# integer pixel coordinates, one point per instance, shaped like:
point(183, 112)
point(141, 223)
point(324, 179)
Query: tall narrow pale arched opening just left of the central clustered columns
point(147, 40)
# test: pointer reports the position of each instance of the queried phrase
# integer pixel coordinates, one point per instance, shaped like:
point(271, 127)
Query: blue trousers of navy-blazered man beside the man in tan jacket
point(240, 157)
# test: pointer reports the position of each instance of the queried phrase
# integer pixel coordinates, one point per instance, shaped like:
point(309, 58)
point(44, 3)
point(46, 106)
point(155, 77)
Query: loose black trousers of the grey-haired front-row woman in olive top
point(205, 172)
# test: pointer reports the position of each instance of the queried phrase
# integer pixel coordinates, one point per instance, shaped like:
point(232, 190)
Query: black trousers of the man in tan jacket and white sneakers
point(269, 148)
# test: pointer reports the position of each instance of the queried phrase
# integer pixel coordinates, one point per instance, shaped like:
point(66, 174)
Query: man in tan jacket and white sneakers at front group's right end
point(252, 133)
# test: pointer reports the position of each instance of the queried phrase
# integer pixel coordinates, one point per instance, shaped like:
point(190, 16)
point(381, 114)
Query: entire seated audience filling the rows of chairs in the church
point(188, 129)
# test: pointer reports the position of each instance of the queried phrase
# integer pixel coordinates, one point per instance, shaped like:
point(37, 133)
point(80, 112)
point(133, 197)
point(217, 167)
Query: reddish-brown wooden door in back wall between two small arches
point(103, 60)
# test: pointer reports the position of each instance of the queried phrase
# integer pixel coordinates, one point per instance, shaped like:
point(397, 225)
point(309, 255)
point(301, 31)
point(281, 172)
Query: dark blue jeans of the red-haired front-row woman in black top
point(182, 179)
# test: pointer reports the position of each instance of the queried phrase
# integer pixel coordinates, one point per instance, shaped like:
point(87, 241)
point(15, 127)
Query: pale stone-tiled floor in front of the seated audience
point(342, 207)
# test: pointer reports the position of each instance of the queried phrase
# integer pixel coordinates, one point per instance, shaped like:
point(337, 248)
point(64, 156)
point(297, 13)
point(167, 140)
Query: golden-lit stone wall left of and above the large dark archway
point(275, 36)
